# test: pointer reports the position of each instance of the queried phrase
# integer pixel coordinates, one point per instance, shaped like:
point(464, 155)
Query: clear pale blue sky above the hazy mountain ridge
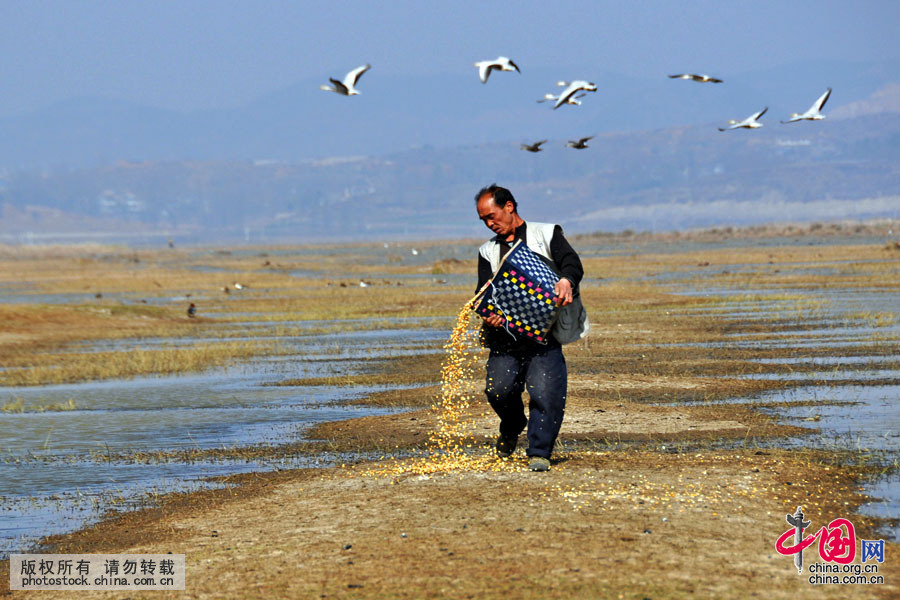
point(187, 55)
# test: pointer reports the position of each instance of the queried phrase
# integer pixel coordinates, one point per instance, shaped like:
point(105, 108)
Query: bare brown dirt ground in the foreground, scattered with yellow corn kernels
point(598, 525)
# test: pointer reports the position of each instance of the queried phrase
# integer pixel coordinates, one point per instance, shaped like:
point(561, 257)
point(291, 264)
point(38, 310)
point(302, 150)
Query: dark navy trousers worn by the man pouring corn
point(541, 370)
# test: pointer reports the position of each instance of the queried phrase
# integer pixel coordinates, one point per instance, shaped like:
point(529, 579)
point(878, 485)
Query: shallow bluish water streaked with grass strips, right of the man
point(864, 418)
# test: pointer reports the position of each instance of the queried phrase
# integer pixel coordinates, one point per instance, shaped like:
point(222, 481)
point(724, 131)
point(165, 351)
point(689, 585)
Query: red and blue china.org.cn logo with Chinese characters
point(837, 551)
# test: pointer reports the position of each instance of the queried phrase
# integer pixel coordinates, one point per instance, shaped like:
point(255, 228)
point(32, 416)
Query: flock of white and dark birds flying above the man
point(576, 90)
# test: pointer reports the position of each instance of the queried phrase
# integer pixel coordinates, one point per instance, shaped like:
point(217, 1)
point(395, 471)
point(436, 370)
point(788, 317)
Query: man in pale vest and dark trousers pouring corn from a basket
point(516, 364)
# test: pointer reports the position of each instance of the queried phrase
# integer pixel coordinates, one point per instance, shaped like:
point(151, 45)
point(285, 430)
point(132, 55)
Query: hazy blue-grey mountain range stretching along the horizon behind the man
point(662, 179)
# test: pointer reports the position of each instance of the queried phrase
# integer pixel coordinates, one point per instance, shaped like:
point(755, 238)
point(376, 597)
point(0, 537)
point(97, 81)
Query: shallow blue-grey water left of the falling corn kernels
point(46, 456)
